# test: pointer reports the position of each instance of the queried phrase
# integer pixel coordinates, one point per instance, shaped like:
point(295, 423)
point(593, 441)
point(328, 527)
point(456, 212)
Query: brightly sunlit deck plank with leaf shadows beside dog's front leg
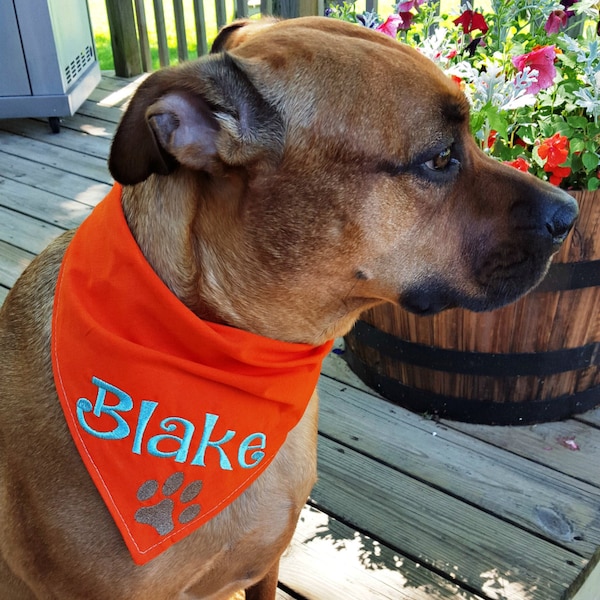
point(328, 560)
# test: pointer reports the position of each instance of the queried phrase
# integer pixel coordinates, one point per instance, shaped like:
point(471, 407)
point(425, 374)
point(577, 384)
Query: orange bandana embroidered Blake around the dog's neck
point(174, 417)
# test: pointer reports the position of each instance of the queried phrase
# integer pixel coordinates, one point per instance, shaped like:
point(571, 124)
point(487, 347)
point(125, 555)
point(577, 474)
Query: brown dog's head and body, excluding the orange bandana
point(305, 171)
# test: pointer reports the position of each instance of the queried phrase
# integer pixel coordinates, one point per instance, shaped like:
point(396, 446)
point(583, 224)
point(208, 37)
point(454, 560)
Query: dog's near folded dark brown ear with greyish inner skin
point(202, 115)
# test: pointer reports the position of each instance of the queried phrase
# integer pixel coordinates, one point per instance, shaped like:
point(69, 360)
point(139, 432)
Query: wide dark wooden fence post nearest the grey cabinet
point(123, 38)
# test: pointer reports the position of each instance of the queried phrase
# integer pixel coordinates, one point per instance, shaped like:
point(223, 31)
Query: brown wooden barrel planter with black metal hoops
point(534, 361)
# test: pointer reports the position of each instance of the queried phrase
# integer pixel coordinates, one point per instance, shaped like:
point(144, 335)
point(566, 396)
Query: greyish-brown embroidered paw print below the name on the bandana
point(161, 514)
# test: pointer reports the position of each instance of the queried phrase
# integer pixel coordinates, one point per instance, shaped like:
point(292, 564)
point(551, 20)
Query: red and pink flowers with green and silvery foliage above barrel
point(530, 70)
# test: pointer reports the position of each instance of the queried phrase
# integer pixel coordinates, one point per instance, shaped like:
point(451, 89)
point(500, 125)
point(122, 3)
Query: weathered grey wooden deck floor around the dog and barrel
point(405, 508)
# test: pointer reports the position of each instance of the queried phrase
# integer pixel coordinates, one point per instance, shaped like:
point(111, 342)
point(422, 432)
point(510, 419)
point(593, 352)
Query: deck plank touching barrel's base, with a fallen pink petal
point(569, 447)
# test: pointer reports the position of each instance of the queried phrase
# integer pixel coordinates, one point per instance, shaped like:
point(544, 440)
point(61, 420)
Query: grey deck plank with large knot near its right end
point(555, 506)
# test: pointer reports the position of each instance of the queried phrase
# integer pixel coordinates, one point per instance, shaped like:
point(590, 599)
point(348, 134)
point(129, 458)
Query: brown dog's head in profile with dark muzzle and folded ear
point(332, 168)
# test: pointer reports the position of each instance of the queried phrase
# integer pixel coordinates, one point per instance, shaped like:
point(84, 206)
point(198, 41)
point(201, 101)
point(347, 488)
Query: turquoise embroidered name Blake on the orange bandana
point(248, 454)
